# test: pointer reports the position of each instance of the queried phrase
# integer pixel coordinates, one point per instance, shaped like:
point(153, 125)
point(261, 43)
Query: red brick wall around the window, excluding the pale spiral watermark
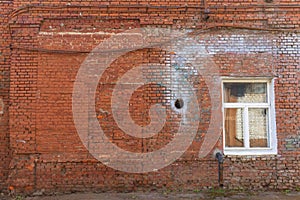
point(251, 38)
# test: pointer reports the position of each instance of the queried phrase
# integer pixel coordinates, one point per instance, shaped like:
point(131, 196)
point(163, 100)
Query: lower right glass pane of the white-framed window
point(258, 127)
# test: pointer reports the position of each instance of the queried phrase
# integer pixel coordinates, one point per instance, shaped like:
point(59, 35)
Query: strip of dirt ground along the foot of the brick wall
point(166, 196)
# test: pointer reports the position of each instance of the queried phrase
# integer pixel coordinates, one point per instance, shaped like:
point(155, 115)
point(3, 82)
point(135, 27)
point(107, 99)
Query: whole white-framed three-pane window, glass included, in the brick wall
point(248, 117)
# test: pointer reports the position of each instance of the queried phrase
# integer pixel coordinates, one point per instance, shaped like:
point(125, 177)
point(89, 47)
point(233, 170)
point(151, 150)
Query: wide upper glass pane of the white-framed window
point(245, 92)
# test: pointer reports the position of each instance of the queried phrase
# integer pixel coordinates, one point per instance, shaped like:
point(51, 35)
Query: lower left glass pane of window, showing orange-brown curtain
point(234, 136)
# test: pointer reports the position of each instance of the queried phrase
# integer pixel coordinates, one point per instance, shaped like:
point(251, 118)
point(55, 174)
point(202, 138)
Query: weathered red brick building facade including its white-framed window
point(249, 89)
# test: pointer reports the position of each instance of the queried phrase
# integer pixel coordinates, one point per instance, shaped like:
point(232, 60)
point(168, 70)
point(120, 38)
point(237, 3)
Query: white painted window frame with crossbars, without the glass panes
point(247, 150)
